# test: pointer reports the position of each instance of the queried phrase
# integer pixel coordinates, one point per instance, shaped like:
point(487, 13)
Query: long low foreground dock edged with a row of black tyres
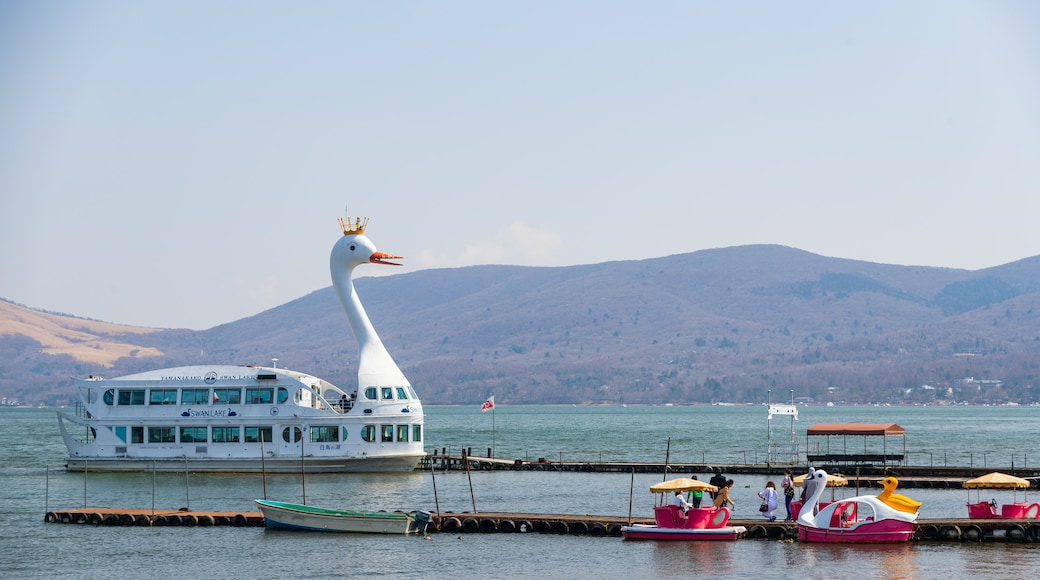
point(963, 531)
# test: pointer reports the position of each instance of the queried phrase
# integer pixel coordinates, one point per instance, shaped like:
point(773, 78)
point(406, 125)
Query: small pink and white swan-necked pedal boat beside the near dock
point(857, 520)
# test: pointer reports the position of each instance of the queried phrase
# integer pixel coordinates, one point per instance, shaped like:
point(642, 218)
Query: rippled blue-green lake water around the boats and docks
point(32, 482)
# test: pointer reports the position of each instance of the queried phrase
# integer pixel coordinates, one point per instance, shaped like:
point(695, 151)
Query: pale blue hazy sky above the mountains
point(183, 164)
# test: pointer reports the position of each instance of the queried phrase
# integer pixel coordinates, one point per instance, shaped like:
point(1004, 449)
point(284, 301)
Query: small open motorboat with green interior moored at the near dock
point(299, 517)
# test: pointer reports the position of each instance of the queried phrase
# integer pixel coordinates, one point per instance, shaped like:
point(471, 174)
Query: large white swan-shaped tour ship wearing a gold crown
point(227, 418)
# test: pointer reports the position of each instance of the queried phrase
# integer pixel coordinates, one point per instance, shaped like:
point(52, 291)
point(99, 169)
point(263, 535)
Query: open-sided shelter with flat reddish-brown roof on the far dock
point(825, 454)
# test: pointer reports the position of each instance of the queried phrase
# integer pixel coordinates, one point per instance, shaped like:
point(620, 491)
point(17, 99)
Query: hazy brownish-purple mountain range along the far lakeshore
point(736, 325)
